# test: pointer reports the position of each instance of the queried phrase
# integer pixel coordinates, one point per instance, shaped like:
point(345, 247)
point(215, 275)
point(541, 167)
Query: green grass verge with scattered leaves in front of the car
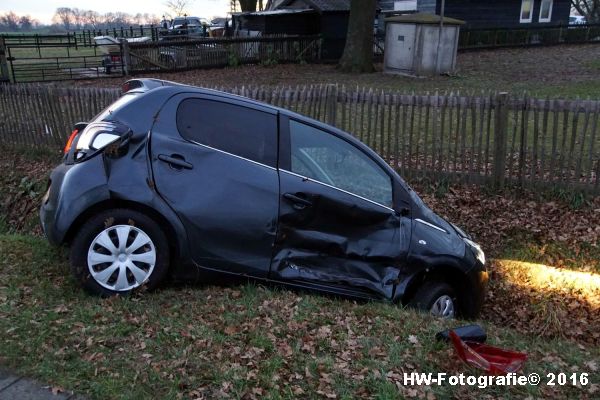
point(244, 340)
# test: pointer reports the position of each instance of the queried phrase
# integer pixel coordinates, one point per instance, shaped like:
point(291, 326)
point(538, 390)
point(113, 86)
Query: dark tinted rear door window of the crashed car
point(238, 130)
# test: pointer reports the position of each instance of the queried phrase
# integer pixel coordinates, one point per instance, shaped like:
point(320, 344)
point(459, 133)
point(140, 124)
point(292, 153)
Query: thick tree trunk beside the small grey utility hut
point(358, 52)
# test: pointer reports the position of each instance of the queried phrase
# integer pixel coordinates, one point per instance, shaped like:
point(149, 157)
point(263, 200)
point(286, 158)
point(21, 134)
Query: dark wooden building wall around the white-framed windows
point(502, 13)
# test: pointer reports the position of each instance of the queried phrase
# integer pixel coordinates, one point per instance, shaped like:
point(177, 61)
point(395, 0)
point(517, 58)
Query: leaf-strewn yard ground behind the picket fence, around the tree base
point(559, 71)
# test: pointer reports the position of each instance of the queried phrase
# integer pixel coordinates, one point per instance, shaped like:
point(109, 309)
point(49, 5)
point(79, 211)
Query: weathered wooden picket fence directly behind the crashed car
point(497, 139)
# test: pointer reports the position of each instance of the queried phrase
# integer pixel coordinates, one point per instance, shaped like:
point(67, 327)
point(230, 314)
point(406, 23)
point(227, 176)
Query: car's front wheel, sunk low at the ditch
point(437, 299)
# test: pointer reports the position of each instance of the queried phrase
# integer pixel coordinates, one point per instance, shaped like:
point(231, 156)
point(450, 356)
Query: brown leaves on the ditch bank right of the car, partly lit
point(528, 297)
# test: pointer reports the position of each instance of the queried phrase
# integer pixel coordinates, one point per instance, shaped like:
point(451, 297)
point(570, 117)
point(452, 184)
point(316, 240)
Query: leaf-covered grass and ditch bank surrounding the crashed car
point(251, 341)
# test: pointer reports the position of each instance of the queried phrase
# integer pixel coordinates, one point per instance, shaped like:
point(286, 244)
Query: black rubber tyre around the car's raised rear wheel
point(91, 228)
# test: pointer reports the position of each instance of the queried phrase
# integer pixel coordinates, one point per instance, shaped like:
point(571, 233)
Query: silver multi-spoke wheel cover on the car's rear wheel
point(121, 258)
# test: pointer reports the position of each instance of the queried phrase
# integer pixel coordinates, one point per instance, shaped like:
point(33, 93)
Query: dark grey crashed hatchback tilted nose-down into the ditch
point(196, 184)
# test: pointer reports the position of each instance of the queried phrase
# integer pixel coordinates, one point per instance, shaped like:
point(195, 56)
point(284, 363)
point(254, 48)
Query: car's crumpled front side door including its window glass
point(337, 225)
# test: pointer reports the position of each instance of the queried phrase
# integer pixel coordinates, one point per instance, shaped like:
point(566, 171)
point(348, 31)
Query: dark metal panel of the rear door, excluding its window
point(227, 204)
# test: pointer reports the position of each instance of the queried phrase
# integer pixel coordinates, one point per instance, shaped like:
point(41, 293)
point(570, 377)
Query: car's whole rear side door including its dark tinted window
point(214, 162)
